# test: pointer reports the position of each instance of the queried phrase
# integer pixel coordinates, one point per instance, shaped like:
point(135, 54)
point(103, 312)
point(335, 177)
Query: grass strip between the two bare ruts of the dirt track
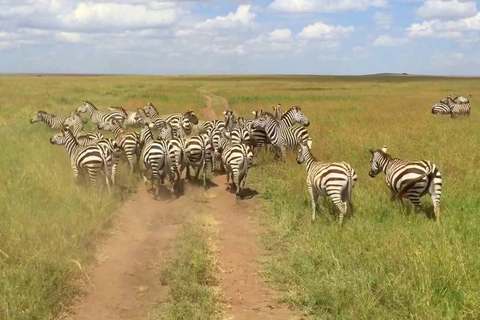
point(190, 275)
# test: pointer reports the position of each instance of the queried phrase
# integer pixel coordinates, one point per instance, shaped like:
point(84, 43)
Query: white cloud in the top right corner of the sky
point(451, 9)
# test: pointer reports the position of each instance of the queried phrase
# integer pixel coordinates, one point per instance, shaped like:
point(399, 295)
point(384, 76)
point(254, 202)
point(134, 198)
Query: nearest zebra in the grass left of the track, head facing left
point(89, 159)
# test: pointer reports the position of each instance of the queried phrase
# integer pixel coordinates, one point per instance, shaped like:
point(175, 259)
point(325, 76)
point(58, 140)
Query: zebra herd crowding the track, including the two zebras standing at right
point(166, 145)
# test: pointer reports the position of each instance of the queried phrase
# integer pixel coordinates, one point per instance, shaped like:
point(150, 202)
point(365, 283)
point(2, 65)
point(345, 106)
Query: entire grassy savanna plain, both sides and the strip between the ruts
point(385, 262)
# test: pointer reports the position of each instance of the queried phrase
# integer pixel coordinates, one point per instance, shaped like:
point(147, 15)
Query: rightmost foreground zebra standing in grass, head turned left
point(411, 180)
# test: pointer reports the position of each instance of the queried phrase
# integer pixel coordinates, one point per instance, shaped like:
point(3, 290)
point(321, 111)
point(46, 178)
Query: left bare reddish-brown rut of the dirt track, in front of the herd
point(124, 283)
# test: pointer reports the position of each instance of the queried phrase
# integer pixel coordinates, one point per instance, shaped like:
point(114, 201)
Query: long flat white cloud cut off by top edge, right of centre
point(306, 6)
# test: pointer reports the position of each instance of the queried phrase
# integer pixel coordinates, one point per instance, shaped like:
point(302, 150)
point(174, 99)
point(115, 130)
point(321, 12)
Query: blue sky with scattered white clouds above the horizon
point(238, 37)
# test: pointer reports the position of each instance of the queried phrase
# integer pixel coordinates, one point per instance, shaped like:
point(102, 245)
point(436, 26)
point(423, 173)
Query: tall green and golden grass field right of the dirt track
point(386, 262)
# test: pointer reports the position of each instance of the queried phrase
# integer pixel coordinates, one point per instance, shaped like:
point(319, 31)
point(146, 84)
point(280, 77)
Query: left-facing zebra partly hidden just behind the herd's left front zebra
point(128, 141)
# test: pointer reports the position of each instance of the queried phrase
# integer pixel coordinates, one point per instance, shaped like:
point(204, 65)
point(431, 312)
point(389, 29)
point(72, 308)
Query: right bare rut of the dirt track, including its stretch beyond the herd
point(248, 297)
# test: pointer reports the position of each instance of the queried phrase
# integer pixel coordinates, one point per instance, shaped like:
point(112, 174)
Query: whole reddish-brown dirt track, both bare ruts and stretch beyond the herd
point(124, 283)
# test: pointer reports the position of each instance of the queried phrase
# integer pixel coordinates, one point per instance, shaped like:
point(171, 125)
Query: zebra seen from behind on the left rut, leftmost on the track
point(155, 159)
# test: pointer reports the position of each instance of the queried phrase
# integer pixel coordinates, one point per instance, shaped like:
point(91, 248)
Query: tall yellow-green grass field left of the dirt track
point(48, 224)
